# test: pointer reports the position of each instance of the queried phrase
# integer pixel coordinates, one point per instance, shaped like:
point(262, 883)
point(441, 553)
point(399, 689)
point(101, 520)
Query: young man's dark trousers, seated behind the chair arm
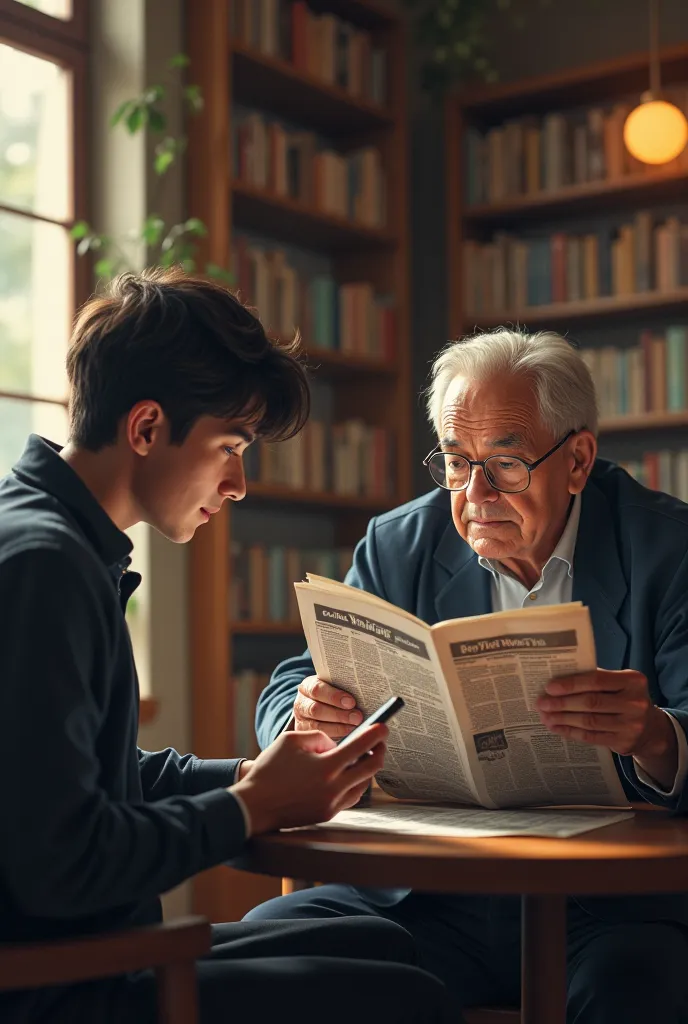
point(343, 971)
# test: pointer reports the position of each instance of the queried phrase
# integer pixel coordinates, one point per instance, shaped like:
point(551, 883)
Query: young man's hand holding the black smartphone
point(305, 778)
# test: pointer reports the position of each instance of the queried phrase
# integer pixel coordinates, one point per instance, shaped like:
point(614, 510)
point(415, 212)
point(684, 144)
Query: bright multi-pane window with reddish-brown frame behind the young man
point(42, 69)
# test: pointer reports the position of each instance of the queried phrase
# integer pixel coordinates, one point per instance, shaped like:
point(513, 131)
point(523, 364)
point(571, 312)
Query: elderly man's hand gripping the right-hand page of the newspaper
point(614, 710)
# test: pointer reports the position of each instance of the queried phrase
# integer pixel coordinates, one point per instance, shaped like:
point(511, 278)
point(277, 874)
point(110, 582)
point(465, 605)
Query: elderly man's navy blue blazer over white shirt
point(630, 569)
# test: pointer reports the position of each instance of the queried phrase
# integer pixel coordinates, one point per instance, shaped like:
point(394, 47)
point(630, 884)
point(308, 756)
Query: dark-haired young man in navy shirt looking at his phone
point(171, 378)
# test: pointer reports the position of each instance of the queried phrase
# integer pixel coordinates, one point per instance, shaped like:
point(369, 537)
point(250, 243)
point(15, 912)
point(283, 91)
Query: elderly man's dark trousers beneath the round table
point(631, 973)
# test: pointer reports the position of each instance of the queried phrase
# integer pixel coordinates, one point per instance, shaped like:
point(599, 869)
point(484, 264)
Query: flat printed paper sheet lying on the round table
point(474, 823)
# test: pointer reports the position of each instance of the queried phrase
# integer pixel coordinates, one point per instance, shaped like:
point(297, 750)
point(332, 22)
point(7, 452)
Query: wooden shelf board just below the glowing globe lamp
point(589, 198)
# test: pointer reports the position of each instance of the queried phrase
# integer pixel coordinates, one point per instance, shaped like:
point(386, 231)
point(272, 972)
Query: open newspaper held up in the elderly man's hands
point(470, 733)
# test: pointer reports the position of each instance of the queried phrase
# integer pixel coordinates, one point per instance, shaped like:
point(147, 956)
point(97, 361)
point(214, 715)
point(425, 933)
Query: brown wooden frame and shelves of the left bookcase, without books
point(242, 68)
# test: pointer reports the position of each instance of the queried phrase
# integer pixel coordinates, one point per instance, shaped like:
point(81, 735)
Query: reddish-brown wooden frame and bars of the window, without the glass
point(67, 45)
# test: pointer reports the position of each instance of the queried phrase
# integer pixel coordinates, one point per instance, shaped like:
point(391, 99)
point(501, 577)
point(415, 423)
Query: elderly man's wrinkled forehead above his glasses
point(498, 408)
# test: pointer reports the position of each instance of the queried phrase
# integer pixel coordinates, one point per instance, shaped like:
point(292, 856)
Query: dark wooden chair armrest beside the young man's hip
point(171, 950)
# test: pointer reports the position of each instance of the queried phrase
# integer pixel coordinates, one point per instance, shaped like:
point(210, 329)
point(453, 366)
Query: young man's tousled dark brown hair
point(188, 344)
